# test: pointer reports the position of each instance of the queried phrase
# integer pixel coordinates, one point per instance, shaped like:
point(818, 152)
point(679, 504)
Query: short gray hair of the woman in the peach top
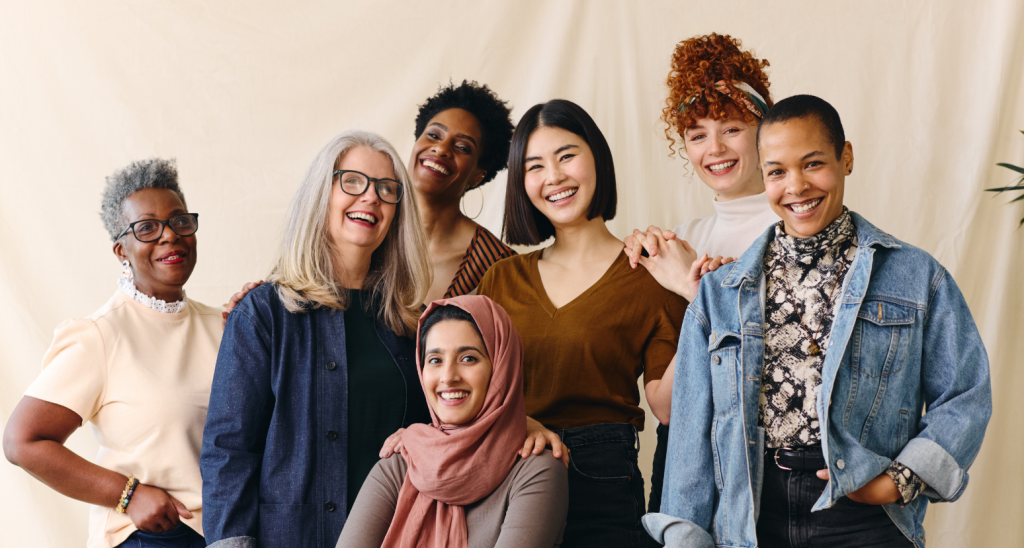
point(152, 174)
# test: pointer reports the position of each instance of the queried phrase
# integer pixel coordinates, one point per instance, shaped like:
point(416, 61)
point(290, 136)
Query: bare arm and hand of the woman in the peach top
point(35, 440)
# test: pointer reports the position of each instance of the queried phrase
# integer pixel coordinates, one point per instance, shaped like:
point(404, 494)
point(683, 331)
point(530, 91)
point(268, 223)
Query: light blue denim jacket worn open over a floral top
point(903, 341)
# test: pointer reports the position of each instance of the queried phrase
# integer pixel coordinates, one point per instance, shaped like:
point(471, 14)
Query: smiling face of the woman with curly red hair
point(724, 155)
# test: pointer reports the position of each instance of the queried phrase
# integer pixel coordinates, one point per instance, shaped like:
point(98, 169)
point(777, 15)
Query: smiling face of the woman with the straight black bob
point(561, 178)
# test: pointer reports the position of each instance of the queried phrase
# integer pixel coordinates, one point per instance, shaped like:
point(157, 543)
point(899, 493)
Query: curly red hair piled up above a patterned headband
point(697, 65)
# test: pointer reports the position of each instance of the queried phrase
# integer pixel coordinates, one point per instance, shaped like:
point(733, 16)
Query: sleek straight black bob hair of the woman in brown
point(525, 225)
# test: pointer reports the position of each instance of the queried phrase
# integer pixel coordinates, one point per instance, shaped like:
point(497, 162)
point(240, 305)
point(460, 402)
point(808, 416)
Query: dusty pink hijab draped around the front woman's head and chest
point(451, 467)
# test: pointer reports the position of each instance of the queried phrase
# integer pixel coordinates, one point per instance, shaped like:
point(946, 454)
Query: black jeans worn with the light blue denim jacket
point(787, 521)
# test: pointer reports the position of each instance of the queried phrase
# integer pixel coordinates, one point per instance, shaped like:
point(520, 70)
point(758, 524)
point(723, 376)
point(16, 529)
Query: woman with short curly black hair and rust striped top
point(462, 142)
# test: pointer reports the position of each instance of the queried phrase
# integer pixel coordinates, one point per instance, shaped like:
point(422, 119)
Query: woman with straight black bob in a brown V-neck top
point(590, 324)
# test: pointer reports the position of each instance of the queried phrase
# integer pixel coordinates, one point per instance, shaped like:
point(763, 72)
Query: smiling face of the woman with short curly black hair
point(446, 155)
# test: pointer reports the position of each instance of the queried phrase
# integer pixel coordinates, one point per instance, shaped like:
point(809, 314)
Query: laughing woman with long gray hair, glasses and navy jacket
point(317, 367)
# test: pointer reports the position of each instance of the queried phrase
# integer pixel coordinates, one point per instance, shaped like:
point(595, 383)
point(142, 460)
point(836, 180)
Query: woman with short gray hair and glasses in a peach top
point(140, 369)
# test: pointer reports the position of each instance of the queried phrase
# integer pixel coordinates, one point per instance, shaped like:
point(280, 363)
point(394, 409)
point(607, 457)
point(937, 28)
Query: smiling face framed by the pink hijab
point(456, 371)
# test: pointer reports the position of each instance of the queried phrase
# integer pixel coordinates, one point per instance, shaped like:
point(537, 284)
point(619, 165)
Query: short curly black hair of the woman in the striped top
point(492, 113)
